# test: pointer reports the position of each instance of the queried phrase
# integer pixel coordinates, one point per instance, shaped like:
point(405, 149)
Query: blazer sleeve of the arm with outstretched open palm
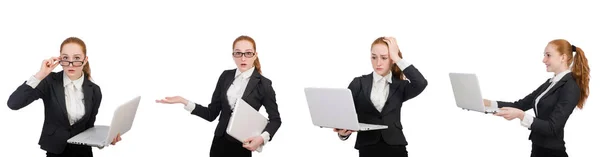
point(213, 110)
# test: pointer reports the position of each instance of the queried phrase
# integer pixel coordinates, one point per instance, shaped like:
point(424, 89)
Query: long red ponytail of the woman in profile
point(581, 72)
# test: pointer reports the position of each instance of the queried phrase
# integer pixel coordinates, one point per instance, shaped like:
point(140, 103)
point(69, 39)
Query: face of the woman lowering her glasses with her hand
point(72, 60)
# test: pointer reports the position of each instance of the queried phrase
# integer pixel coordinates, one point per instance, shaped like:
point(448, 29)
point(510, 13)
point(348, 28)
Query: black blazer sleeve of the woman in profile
point(567, 100)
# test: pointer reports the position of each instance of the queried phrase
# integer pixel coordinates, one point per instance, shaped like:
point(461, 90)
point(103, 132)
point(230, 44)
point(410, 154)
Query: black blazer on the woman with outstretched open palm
point(258, 92)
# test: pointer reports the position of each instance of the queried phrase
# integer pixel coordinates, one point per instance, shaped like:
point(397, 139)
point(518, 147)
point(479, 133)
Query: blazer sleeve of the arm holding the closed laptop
point(270, 104)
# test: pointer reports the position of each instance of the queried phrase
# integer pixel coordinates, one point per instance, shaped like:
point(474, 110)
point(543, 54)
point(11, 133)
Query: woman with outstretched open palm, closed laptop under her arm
point(246, 83)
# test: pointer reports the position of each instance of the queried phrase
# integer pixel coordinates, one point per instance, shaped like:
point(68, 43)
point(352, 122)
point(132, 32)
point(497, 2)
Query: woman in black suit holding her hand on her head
point(378, 99)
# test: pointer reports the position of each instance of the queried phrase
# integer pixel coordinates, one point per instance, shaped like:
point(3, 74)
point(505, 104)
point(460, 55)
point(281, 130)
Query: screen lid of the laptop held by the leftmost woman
point(123, 119)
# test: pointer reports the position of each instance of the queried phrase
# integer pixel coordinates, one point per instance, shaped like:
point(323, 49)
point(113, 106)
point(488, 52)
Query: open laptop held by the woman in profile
point(467, 93)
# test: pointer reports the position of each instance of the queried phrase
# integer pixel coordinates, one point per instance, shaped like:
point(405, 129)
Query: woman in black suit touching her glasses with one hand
point(71, 99)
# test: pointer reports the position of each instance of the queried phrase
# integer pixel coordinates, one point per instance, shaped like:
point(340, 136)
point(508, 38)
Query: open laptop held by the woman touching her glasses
point(101, 136)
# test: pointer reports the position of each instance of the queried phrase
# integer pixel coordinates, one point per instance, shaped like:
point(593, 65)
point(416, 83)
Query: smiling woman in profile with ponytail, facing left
point(554, 101)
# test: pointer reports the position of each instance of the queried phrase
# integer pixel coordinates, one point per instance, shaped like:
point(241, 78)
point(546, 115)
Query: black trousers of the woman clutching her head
point(382, 149)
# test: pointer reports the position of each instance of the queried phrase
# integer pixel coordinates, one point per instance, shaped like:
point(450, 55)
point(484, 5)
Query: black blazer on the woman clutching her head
point(400, 91)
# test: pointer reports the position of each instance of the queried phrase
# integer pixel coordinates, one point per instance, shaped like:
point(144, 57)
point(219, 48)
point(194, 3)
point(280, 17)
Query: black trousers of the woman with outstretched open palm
point(227, 146)
